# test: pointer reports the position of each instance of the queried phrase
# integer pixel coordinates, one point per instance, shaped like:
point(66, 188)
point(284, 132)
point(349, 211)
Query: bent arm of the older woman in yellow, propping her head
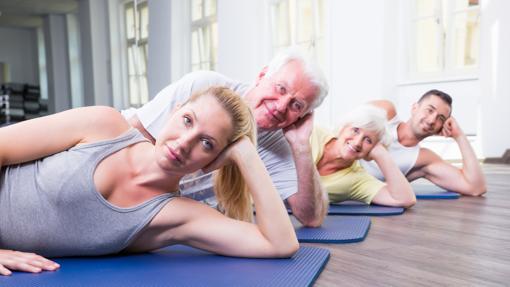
point(397, 191)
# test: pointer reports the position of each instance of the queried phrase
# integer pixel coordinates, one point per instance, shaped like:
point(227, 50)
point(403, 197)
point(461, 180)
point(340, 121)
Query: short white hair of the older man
point(311, 70)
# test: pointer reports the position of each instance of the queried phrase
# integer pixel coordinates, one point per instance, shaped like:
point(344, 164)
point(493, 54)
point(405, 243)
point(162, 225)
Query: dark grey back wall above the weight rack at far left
point(18, 49)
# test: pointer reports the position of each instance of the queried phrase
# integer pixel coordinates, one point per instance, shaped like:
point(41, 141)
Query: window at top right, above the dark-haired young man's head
point(445, 38)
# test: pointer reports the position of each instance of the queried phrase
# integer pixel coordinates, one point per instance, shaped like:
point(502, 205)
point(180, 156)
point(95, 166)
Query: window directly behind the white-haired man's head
point(301, 23)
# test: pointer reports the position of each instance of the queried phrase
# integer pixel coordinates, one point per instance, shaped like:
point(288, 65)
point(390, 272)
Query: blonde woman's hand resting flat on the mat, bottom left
point(23, 261)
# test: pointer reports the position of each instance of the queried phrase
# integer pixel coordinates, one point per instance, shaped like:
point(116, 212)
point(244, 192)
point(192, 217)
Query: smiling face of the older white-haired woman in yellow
point(355, 143)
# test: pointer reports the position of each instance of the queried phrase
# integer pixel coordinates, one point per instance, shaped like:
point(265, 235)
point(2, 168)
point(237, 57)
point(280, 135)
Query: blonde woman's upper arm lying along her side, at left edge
point(40, 137)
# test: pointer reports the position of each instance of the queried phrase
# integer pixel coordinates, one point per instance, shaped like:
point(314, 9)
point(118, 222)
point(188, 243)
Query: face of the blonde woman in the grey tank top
point(194, 136)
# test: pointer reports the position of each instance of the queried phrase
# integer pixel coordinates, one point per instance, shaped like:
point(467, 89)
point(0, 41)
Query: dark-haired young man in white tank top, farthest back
point(431, 115)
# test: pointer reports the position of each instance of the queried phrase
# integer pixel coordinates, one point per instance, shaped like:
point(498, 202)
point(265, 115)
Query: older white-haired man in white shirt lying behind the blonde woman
point(281, 98)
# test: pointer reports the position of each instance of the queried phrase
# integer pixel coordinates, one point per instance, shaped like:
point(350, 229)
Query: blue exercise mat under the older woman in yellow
point(358, 208)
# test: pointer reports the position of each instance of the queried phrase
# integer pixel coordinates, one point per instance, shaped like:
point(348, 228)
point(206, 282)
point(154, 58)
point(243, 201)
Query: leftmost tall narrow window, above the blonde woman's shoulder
point(137, 34)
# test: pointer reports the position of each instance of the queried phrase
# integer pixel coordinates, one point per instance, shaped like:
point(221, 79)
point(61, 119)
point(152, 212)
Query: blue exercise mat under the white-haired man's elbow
point(335, 229)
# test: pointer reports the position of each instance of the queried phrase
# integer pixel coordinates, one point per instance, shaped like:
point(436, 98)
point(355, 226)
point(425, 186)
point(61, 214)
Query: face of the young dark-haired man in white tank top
point(428, 117)
